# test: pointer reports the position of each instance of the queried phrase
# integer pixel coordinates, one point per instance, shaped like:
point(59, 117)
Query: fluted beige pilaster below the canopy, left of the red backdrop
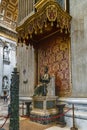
point(26, 64)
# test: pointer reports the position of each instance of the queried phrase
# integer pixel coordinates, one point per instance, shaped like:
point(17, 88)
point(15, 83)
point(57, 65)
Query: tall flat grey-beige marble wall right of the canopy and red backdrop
point(78, 11)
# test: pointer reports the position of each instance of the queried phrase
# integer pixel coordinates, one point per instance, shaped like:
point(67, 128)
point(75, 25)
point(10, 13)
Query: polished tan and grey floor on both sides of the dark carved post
point(25, 124)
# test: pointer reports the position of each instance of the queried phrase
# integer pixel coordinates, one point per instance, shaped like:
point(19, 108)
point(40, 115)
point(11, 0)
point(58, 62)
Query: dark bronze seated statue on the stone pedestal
point(41, 88)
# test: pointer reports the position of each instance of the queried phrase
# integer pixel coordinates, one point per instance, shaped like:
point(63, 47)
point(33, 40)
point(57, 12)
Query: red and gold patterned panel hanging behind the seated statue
point(54, 52)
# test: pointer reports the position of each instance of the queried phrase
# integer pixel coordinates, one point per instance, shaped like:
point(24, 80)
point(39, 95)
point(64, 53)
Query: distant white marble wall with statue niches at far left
point(6, 66)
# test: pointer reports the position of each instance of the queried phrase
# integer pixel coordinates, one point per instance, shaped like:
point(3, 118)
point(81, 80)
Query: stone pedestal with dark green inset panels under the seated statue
point(44, 109)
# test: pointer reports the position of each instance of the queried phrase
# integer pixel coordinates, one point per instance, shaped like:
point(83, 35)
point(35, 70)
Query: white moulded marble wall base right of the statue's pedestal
point(80, 112)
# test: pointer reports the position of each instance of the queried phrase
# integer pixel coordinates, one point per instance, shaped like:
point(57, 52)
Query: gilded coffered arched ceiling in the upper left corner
point(9, 13)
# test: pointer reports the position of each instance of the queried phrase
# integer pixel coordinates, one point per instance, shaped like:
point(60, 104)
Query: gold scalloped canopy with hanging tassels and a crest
point(48, 14)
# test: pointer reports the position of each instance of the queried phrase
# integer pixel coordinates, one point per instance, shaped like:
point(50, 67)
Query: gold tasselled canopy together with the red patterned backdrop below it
point(49, 27)
